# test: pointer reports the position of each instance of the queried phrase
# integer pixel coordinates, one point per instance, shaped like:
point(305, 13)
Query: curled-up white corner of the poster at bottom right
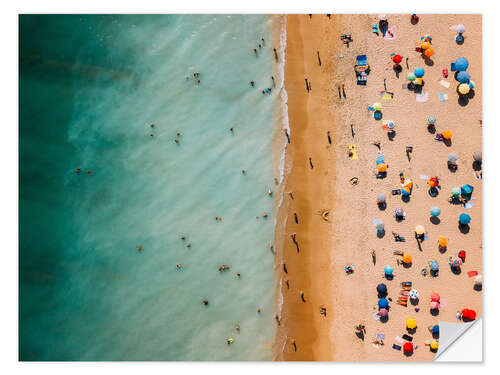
point(460, 342)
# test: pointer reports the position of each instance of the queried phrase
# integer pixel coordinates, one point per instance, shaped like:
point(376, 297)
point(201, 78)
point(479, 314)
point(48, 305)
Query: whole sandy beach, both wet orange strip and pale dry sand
point(349, 236)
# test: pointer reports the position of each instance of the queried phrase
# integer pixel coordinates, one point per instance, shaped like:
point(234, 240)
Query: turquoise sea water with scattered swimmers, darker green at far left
point(89, 88)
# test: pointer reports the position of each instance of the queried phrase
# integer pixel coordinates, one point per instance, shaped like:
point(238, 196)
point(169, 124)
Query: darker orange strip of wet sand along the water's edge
point(301, 321)
